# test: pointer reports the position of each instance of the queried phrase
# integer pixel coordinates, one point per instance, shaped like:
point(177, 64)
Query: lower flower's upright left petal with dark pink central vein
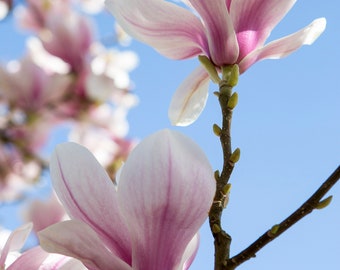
point(88, 194)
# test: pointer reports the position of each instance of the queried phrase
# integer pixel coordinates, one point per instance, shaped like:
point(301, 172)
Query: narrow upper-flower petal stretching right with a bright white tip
point(286, 45)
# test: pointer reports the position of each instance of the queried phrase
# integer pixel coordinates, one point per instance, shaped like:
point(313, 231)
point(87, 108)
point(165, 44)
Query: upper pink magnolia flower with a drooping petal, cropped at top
point(226, 31)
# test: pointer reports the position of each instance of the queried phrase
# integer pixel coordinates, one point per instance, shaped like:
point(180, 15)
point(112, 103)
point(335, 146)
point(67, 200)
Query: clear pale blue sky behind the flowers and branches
point(286, 124)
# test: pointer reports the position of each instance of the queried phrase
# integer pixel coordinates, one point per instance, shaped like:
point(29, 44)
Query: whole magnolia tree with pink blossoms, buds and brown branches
point(119, 204)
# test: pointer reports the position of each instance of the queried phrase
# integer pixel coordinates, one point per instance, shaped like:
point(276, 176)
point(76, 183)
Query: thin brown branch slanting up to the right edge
point(314, 202)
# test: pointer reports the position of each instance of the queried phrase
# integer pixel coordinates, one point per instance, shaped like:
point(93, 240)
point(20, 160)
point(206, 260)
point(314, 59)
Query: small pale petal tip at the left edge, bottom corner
point(15, 241)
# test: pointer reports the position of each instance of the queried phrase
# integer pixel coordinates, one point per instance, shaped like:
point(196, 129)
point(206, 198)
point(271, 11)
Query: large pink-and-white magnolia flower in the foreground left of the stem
point(148, 221)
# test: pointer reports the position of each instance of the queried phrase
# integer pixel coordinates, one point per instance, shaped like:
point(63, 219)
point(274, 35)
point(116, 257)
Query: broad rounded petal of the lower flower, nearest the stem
point(166, 188)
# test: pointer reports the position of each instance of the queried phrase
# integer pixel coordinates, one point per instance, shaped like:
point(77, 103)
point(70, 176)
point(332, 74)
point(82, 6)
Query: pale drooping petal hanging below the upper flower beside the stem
point(190, 98)
